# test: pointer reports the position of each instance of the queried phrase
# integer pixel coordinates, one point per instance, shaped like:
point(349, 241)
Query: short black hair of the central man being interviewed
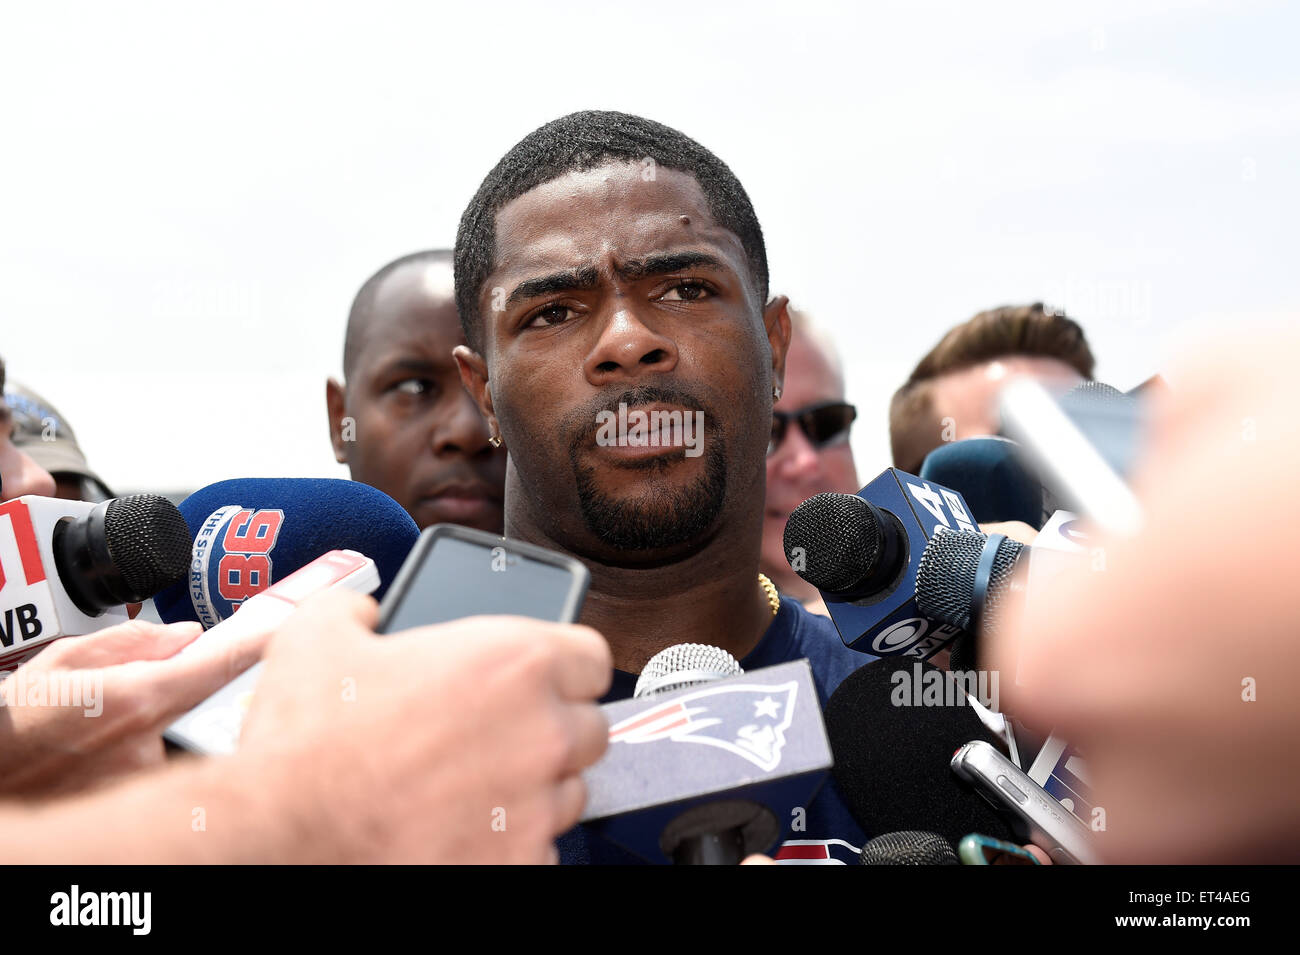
point(579, 142)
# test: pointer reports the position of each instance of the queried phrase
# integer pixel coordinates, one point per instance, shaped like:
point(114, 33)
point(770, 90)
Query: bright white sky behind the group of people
point(192, 196)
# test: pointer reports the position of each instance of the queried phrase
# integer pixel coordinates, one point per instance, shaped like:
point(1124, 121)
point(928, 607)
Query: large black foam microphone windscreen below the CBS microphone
point(892, 754)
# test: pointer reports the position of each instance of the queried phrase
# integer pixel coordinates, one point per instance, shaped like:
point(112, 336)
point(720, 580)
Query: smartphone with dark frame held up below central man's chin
point(457, 572)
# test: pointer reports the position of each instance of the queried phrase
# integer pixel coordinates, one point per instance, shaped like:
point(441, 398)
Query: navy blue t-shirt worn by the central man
point(831, 836)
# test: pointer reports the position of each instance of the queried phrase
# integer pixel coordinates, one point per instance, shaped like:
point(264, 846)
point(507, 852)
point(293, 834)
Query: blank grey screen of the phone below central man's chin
point(461, 579)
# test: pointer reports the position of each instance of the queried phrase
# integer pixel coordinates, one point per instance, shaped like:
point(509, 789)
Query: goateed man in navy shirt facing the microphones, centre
point(613, 284)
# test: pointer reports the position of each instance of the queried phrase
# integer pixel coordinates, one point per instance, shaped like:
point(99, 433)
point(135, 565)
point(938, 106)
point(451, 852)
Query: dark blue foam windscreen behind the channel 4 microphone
point(989, 474)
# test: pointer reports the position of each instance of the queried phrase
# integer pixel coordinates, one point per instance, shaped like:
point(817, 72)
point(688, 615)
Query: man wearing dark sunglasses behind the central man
point(809, 453)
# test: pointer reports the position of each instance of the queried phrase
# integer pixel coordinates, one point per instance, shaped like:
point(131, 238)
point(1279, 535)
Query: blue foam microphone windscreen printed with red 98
point(250, 533)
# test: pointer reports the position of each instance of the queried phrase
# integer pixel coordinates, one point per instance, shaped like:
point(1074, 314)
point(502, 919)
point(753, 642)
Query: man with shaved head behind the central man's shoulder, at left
point(401, 420)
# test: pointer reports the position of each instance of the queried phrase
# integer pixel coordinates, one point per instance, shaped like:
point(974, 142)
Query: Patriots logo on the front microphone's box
point(748, 720)
